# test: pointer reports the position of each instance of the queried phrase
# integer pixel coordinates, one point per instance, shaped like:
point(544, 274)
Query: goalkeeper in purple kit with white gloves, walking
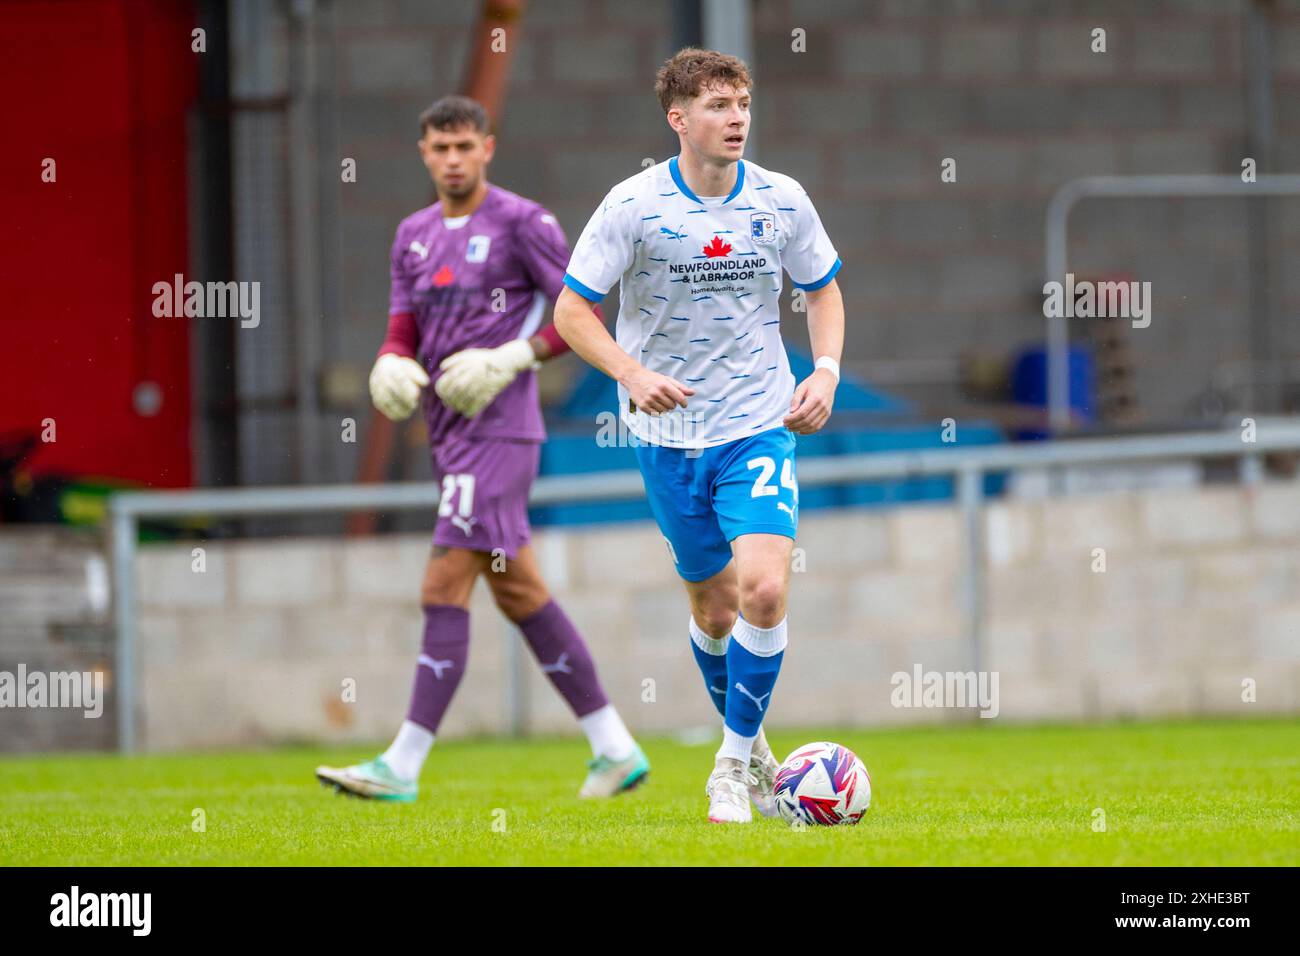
point(473, 279)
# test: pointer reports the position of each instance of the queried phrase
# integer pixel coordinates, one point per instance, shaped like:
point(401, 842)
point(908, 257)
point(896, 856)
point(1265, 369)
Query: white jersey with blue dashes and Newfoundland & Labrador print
point(700, 287)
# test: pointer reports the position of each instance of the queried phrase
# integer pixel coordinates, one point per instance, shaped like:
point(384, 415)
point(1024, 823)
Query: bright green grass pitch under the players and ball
point(1203, 793)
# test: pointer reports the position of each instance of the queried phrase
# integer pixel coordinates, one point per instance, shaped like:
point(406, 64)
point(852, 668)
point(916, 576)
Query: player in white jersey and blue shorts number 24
point(697, 246)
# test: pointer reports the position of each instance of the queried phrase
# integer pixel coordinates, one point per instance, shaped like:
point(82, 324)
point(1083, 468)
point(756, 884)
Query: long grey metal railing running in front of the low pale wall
point(968, 465)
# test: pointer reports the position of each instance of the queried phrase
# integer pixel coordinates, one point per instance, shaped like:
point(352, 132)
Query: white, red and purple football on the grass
point(822, 785)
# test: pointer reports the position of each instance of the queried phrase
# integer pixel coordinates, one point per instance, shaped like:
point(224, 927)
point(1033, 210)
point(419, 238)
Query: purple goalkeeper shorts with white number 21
point(486, 486)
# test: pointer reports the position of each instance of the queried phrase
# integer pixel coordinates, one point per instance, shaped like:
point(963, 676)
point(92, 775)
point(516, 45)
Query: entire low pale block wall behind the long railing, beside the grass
point(1198, 595)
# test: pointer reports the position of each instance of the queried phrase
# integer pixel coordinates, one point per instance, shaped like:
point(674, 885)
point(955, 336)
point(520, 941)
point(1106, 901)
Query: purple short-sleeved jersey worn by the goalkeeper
point(476, 283)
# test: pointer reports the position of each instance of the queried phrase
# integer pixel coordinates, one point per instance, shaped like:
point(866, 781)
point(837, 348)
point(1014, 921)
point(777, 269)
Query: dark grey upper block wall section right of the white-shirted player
point(1013, 94)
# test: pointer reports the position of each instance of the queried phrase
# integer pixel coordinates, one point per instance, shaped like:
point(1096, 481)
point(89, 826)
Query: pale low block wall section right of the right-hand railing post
point(1197, 596)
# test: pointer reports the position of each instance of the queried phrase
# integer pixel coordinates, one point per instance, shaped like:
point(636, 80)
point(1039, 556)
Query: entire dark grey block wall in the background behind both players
point(886, 90)
